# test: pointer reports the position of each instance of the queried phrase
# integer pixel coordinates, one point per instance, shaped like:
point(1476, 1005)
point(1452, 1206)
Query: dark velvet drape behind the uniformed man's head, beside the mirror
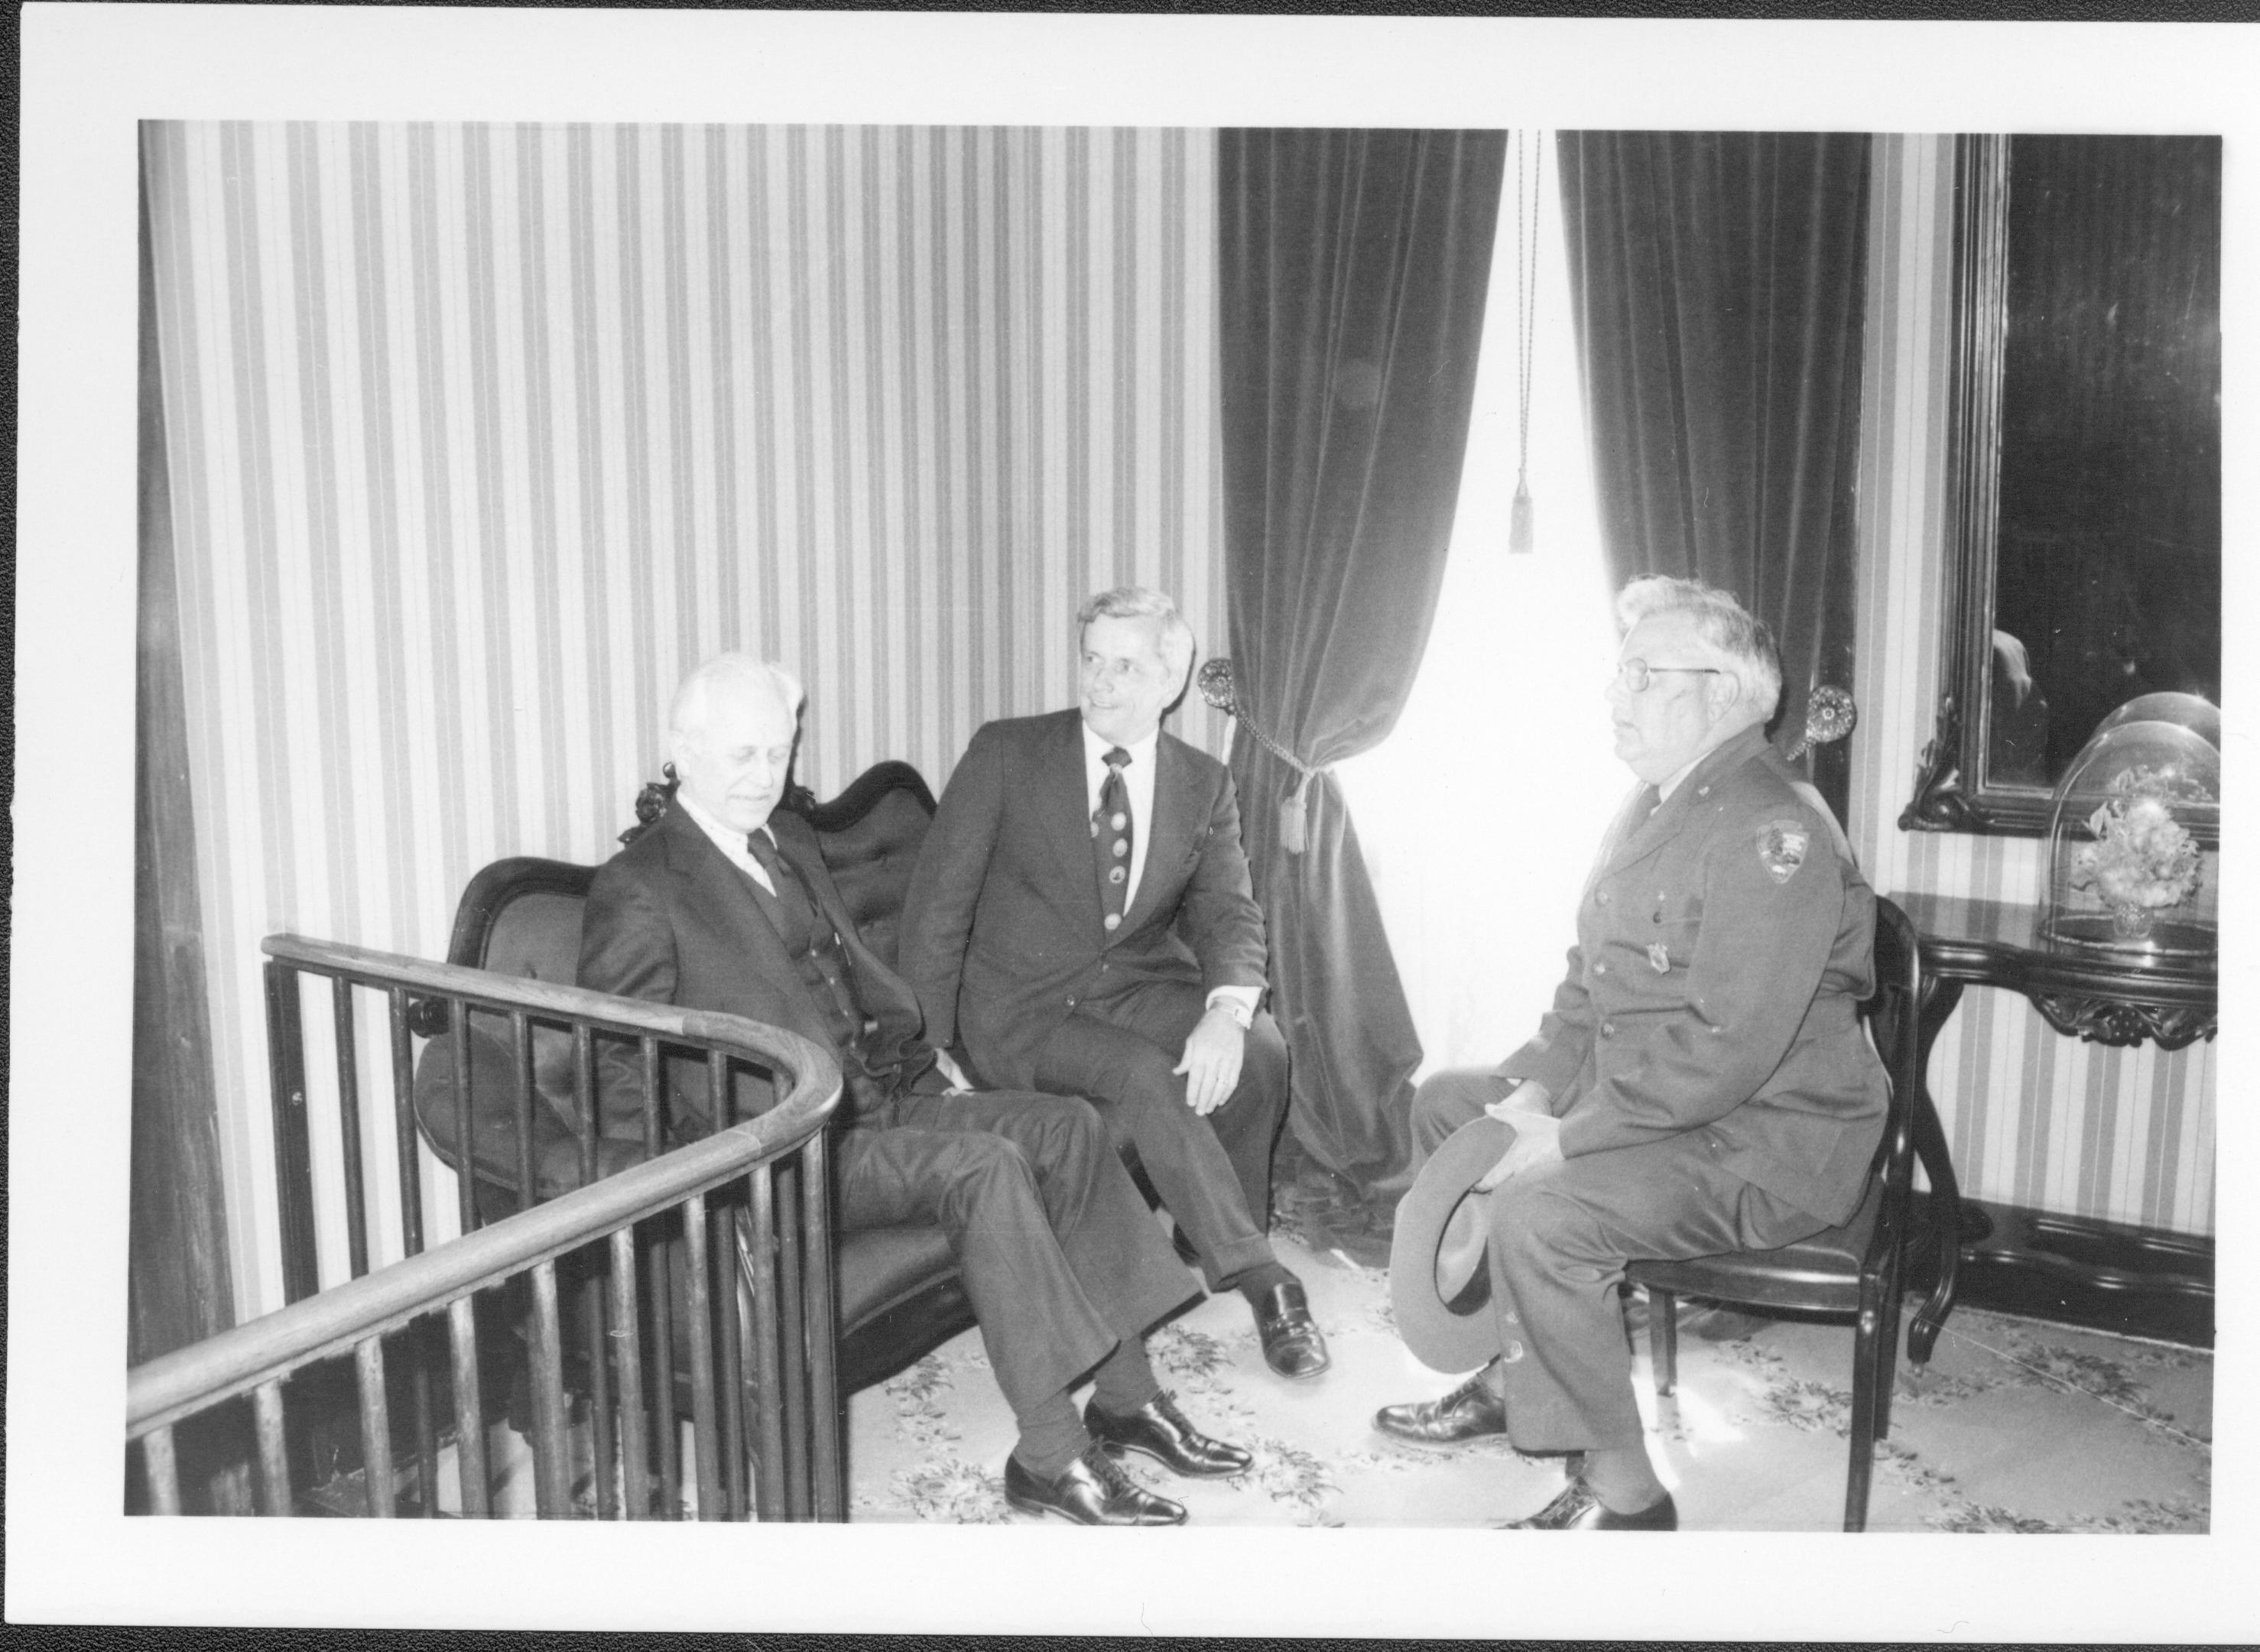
point(1719, 293)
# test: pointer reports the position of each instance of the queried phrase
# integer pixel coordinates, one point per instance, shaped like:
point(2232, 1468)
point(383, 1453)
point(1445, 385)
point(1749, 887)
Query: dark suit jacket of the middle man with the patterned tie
point(1002, 928)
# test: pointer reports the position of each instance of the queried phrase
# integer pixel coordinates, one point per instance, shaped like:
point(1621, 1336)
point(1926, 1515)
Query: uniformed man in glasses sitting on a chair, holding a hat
point(1703, 1081)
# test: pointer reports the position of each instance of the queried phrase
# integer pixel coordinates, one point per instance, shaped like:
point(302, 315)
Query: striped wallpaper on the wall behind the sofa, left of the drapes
point(483, 435)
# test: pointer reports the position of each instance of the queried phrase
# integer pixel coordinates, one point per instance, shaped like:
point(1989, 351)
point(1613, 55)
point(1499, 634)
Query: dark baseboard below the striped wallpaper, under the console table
point(2087, 1273)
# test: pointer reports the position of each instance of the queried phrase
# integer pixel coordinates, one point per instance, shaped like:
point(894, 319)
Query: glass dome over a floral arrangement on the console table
point(2135, 840)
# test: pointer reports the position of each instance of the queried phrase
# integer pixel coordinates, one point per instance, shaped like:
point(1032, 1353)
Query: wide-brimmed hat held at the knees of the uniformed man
point(1443, 1292)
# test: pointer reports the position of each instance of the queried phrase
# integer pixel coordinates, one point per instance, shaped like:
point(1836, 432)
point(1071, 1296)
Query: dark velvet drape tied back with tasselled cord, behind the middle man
point(1353, 270)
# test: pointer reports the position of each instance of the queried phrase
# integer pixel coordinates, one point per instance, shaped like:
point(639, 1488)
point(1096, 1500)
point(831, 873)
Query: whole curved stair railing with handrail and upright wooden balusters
point(770, 1334)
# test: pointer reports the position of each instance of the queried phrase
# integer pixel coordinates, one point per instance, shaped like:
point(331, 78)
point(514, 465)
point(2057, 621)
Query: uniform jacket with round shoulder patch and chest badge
point(1723, 948)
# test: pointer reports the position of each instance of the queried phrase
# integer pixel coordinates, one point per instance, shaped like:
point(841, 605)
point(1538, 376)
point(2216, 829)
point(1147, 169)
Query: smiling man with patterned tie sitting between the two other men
point(1081, 921)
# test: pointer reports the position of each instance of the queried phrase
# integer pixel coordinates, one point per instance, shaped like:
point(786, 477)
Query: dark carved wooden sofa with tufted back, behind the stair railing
point(898, 1294)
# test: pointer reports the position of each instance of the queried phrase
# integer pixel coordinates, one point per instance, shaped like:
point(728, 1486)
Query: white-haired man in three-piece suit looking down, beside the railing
point(724, 905)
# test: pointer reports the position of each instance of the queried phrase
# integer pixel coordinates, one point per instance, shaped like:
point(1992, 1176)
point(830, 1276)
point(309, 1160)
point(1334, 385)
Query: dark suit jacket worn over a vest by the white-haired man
point(672, 921)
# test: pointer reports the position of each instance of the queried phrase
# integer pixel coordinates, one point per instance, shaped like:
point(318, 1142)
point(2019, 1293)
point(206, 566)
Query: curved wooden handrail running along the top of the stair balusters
point(236, 1362)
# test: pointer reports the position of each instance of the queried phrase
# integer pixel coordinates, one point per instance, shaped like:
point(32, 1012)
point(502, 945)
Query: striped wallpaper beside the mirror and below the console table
point(2035, 1118)
